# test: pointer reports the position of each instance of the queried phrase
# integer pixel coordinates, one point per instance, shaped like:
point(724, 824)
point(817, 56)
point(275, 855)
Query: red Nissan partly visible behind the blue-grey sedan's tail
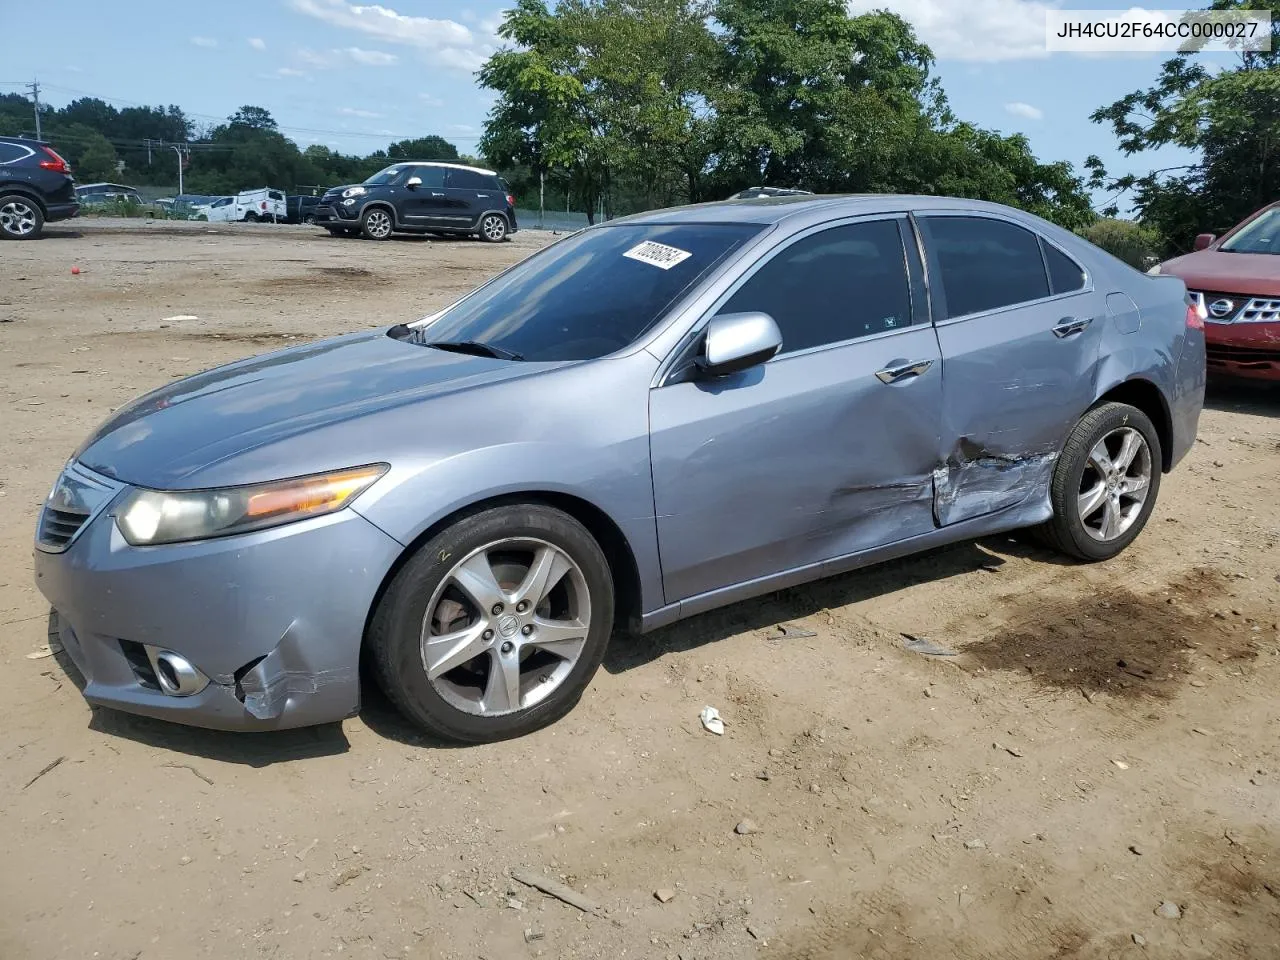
point(1236, 281)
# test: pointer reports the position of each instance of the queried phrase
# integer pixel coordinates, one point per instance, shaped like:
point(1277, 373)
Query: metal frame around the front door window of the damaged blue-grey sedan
point(680, 359)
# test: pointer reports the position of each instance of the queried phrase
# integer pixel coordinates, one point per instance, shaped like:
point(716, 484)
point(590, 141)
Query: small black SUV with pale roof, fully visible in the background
point(422, 198)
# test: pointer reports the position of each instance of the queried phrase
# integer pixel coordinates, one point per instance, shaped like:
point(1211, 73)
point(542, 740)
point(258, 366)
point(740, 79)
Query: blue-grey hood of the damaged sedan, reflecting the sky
point(167, 438)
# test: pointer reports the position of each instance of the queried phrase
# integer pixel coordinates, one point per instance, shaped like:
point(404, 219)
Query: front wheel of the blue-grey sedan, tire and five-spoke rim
point(470, 703)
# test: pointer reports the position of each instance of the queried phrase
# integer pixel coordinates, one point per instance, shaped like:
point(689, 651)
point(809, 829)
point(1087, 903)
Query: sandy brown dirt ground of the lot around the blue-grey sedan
point(1107, 740)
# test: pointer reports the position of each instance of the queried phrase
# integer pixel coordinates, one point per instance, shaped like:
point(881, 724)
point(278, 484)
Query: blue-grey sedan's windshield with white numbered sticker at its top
point(589, 295)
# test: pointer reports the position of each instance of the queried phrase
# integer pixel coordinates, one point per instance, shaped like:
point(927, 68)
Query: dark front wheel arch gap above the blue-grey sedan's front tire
point(618, 550)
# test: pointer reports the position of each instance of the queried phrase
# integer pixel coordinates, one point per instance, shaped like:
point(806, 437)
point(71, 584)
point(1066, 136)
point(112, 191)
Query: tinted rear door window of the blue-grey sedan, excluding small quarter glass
point(985, 264)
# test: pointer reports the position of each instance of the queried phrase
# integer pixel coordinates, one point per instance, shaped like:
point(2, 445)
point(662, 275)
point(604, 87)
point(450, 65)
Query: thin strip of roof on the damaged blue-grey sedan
point(774, 211)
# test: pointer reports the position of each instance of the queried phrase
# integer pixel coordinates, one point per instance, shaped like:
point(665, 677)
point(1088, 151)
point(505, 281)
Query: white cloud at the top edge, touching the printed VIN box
point(975, 30)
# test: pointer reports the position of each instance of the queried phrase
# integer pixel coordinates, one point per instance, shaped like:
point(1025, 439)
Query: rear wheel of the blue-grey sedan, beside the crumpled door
point(1100, 527)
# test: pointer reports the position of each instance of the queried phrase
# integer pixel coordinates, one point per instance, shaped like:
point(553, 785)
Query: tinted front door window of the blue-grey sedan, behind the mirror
point(833, 286)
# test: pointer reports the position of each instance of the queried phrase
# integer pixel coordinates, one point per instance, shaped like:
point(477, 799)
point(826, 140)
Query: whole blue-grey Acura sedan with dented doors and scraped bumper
point(648, 419)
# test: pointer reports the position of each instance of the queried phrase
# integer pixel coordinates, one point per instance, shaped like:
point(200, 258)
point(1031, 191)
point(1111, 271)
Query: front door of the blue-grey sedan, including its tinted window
point(825, 451)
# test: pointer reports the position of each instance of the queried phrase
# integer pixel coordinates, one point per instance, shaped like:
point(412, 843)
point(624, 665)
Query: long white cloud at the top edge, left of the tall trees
point(450, 44)
